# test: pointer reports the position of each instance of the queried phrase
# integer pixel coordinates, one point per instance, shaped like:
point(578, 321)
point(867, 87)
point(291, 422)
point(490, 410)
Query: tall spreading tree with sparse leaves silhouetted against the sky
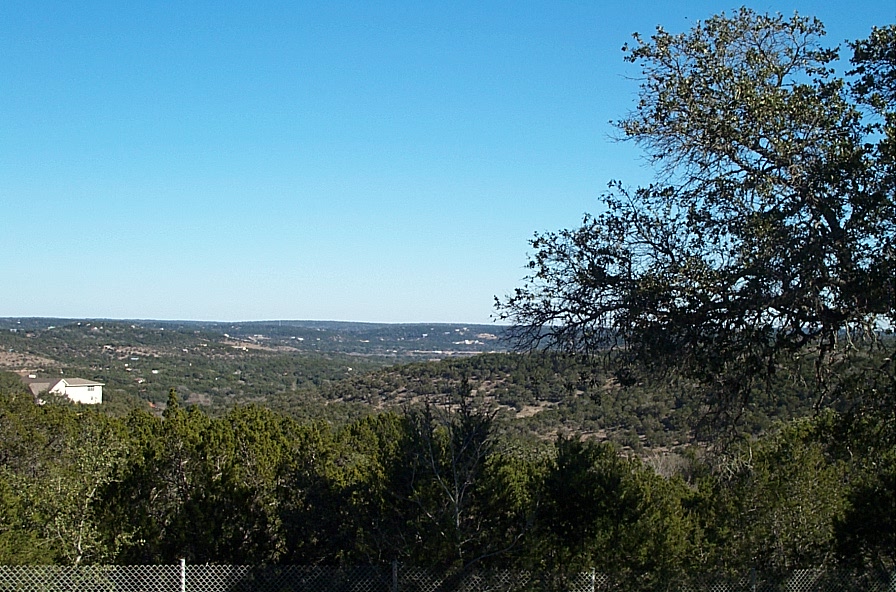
point(767, 240)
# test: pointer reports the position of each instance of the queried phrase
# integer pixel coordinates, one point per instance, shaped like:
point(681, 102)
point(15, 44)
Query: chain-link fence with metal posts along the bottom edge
point(400, 578)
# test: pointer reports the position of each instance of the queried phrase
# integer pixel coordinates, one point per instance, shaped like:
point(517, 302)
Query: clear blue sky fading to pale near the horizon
point(369, 161)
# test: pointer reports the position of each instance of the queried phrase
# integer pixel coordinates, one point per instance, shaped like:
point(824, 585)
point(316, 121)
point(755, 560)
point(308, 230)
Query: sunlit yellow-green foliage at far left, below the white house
point(55, 461)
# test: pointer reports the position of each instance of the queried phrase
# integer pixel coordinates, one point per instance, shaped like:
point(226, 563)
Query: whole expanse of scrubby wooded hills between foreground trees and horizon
point(540, 394)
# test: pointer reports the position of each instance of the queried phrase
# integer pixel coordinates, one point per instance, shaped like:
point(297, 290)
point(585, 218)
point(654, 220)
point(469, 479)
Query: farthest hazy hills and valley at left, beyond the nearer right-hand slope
point(216, 364)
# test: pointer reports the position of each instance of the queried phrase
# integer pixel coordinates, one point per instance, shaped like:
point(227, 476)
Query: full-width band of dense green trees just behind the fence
point(437, 485)
